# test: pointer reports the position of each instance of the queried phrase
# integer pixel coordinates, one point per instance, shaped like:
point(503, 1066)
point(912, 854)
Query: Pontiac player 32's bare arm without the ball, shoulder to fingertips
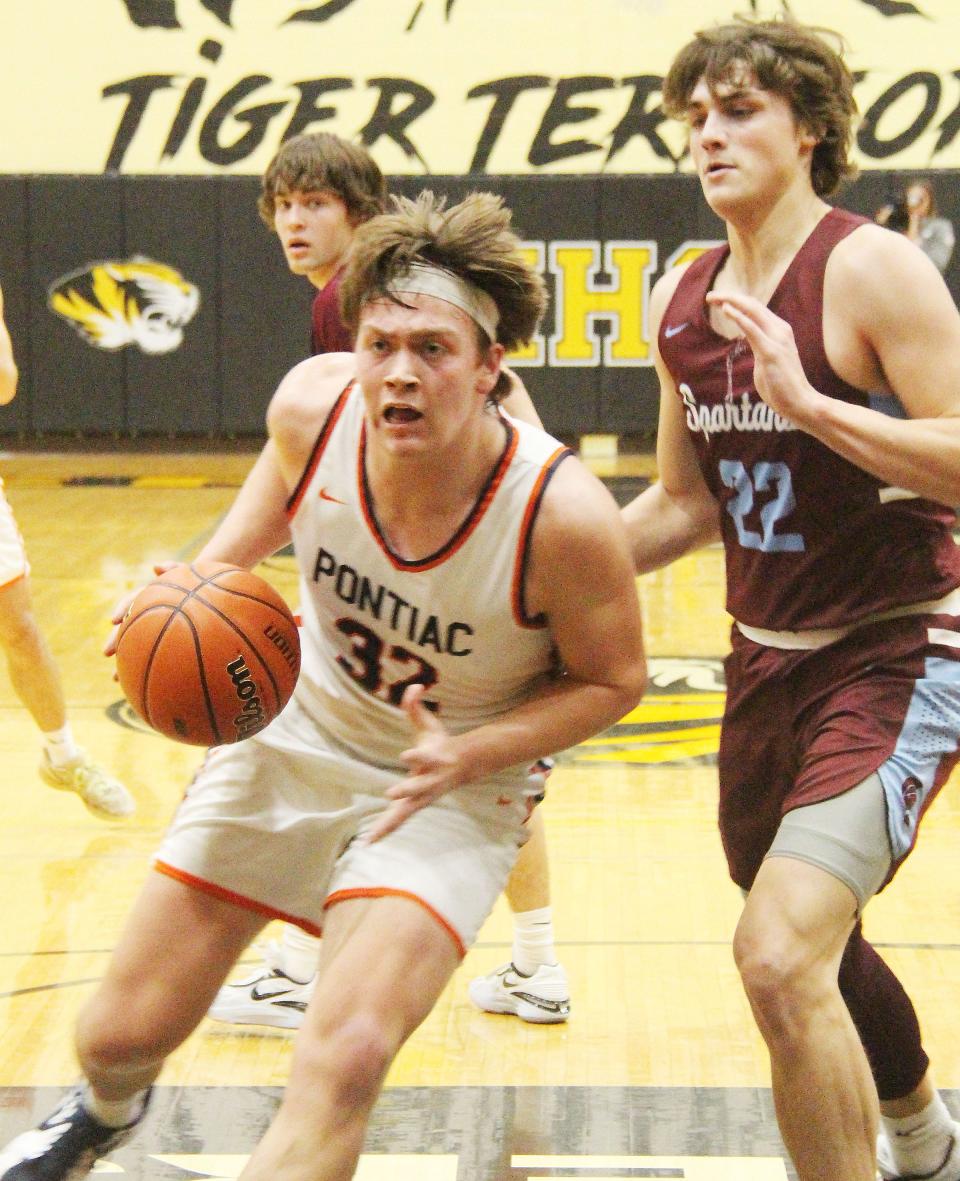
point(582, 579)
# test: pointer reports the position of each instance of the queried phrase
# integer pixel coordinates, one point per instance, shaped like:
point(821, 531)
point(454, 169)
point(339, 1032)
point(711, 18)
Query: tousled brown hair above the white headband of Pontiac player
point(473, 239)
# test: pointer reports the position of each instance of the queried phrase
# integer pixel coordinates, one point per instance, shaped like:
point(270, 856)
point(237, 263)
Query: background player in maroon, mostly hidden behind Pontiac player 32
point(316, 192)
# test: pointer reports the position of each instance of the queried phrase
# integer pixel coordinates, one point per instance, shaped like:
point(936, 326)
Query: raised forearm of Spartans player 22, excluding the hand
point(922, 455)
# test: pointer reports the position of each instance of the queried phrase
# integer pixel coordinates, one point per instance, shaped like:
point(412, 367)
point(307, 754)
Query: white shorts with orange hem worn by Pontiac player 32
point(272, 824)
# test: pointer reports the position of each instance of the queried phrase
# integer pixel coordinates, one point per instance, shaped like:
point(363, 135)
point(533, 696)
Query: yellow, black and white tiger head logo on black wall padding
point(120, 303)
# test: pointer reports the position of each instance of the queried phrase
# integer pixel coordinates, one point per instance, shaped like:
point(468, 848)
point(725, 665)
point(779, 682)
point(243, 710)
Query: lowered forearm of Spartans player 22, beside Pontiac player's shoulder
point(663, 527)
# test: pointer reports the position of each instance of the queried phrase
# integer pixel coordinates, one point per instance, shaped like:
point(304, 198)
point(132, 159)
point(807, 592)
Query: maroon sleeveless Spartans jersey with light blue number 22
point(812, 540)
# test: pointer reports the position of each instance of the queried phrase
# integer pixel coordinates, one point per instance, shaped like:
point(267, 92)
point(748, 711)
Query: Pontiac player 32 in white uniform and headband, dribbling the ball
point(469, 606)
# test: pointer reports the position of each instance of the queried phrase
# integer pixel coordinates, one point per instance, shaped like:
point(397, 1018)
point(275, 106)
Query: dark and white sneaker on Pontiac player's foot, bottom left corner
point(66, 1147)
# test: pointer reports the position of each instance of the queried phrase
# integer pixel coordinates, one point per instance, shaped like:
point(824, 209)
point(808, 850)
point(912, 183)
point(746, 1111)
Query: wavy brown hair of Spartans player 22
point(791, 60)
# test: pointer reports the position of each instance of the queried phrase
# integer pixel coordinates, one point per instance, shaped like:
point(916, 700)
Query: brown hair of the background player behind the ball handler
point(324, 162)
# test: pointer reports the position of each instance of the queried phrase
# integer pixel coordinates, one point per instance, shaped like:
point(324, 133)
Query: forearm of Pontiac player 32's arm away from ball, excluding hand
point(567, 713)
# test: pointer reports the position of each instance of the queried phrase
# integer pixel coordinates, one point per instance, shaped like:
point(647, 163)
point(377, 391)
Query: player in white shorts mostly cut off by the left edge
point(32, 669)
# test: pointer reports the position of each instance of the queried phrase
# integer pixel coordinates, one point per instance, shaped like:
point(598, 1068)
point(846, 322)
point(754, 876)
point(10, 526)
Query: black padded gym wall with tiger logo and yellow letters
point(214, 376)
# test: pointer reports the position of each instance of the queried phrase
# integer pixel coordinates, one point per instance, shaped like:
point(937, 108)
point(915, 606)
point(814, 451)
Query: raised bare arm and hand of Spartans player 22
point(899, 332)
